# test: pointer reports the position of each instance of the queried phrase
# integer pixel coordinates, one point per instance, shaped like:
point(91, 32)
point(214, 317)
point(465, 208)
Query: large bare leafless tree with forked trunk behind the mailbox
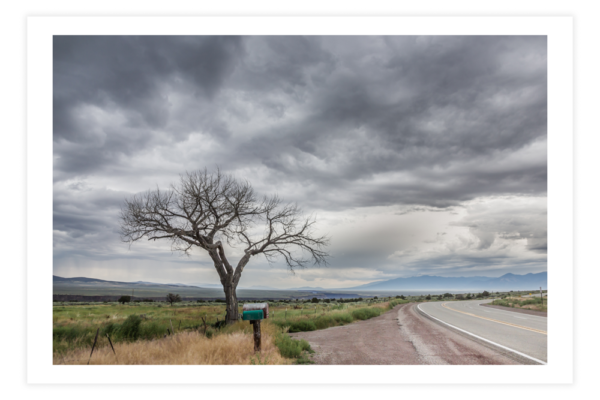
point(205, 209)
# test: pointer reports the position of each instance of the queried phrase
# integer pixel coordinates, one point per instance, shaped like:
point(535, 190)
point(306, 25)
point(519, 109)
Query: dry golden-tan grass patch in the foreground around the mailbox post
point(185, 348)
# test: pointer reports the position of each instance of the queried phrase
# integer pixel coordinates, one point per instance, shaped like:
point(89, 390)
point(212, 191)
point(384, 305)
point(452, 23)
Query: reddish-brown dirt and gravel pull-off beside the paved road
point(401, 336)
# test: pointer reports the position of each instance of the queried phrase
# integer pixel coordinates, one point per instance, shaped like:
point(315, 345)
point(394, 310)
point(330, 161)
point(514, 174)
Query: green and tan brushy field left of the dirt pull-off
point(189, 333)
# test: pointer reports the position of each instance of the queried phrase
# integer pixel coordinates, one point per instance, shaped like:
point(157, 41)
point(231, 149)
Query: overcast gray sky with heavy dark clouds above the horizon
point(418, 155)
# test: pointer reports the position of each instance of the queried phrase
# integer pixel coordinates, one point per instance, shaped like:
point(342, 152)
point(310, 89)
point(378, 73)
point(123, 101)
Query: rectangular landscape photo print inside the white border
point(317, 200)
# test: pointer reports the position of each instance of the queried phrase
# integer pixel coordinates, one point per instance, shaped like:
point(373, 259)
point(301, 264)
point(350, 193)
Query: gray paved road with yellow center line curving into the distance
point(521, 332)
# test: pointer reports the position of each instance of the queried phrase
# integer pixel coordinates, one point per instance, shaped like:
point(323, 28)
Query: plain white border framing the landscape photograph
point(39, 200)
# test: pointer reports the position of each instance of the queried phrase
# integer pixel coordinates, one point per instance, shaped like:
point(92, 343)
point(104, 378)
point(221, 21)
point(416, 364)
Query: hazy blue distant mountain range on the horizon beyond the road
point(427, 282)
